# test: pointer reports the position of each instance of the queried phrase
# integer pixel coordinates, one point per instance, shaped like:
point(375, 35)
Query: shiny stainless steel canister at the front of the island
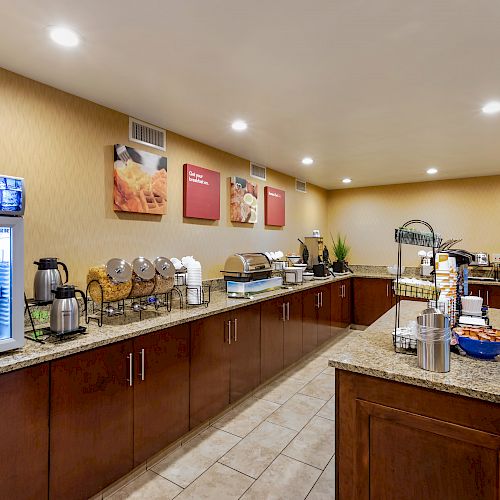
point(433, 342)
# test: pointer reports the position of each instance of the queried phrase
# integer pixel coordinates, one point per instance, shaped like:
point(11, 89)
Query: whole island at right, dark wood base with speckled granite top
point(402, 429)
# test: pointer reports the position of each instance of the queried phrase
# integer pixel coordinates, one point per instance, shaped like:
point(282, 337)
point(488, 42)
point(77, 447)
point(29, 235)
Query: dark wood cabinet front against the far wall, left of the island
point(371, 298)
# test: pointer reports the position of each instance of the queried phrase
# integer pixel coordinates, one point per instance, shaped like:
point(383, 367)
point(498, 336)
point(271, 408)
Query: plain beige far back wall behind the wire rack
point(462, 208)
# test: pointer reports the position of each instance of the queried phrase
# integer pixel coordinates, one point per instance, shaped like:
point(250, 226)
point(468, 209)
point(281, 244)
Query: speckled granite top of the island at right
point(372, 353)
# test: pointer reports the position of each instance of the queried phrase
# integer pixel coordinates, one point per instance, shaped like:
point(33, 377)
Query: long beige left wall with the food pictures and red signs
point(62, 145)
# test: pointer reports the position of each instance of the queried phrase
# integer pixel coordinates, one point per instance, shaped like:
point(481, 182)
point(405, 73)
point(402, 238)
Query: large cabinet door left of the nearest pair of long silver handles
point(91, 421)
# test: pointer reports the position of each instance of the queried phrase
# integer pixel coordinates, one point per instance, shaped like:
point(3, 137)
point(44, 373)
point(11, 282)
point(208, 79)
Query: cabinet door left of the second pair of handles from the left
point(209, 369)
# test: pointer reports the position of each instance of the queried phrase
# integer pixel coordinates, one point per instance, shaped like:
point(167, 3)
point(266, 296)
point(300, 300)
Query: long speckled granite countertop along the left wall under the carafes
point(119, 328)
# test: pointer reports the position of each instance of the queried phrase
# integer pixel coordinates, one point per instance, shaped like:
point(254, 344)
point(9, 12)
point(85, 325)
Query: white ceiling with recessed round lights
point(377, 90)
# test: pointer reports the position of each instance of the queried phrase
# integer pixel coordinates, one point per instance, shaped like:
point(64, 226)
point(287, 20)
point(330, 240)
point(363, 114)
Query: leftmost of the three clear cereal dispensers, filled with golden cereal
point(110, 282)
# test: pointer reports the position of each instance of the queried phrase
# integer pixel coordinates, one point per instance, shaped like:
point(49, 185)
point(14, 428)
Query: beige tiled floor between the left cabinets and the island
point(277, 444)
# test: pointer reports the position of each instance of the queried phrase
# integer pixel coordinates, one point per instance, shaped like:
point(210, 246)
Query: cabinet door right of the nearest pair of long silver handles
point(161, 390)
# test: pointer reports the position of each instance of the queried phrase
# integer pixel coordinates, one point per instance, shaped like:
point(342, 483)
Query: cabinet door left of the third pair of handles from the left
point(273, 316)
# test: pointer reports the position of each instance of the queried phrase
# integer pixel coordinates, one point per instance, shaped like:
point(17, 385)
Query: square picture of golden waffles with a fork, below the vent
point(140, 181)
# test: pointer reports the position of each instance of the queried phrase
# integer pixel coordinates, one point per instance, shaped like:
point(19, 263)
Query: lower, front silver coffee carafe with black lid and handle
point(65, 310)
